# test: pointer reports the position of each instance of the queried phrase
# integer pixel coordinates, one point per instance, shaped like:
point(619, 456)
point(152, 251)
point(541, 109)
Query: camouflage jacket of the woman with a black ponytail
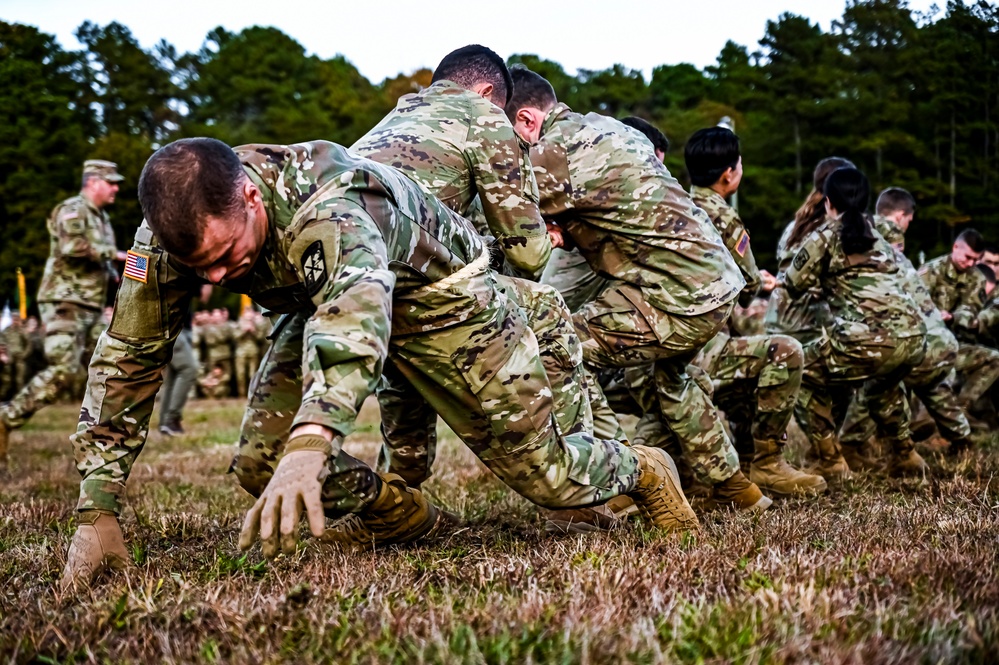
point(866, 292)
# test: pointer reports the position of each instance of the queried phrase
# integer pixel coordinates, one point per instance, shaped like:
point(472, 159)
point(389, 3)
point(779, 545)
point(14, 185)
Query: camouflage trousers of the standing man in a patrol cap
point(67, 333)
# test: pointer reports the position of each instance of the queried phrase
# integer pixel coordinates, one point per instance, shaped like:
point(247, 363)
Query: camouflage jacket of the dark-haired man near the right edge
point(960, 293)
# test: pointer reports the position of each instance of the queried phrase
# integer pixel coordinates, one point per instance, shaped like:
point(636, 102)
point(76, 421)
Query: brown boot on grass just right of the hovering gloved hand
point(400, 514)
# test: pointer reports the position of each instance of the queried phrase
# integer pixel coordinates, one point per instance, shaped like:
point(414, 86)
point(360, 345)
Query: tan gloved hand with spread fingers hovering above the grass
point(297, 482)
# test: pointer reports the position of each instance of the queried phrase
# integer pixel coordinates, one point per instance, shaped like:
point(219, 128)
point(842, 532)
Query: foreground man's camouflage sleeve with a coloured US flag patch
point(125, 374)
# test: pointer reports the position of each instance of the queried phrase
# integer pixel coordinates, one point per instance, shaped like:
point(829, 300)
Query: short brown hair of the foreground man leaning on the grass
point(185, 182)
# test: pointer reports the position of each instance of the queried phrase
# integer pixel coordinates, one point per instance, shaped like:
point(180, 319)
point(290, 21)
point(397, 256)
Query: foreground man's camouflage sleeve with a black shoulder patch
point(344, 266)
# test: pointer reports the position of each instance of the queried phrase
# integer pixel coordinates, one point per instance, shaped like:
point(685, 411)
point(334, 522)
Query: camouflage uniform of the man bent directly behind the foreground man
point(460, 147)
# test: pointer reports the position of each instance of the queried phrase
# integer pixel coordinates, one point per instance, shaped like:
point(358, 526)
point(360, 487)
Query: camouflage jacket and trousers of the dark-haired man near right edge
point(963, 295)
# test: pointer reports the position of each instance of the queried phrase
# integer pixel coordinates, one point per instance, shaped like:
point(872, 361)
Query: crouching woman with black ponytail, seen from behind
point(877, 335)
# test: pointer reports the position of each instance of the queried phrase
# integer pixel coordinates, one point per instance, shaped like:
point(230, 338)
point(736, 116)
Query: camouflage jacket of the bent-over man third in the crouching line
point(602, 183)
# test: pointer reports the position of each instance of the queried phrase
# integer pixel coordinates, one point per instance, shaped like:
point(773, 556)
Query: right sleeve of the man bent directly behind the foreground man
point(508, 191)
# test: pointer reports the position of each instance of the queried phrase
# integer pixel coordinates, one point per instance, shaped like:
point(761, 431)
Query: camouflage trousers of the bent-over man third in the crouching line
point(620, 329)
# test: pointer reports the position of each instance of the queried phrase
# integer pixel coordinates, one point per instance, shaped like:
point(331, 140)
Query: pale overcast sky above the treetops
point(385, 38)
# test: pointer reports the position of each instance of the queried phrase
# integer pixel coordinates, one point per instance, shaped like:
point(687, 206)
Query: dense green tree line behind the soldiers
point(911, 98)
